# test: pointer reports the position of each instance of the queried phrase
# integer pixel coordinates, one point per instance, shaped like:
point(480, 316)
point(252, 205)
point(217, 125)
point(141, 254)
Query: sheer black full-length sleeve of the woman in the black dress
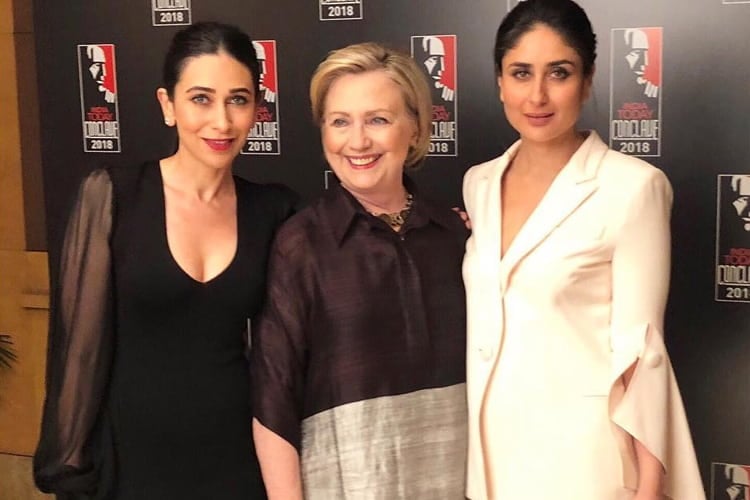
point(80, 346)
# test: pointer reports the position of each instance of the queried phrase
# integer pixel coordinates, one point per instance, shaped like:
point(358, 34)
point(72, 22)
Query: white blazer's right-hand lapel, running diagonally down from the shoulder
point(572, 186)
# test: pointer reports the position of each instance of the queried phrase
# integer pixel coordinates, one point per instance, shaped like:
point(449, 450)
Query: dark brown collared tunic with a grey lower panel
point(359, 354)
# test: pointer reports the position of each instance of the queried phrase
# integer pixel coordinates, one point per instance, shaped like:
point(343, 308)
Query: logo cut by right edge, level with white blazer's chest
point(733, 238)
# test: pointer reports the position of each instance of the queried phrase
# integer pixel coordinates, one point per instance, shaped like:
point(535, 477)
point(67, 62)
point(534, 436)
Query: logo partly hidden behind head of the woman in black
point(264, 136)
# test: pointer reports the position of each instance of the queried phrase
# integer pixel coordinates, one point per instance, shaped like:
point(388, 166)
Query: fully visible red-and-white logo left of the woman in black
point(97, 78)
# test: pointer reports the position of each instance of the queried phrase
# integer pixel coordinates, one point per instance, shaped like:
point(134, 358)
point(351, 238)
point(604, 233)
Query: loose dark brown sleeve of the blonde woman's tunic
point(279, 347)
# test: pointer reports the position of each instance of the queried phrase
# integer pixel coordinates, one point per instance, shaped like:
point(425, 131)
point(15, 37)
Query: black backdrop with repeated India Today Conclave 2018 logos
point(671, 86)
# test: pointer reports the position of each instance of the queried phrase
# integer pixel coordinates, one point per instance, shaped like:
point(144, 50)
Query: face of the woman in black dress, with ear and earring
point(213, 108)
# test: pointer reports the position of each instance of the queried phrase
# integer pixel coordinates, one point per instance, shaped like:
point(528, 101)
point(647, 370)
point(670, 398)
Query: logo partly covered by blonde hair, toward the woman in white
point(436, 55)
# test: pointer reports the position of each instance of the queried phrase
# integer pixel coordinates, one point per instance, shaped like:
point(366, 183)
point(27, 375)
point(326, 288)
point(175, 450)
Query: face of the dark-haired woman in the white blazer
point(543, 87)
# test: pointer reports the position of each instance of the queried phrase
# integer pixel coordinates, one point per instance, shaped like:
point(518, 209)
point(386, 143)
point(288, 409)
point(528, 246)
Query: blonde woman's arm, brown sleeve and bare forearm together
point(278, 358)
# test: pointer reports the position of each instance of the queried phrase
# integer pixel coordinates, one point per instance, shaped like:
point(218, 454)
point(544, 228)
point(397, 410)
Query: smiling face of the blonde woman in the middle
point(367, 131)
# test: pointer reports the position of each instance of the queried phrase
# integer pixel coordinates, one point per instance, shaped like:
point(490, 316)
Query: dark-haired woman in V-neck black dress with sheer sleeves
point(163, 266)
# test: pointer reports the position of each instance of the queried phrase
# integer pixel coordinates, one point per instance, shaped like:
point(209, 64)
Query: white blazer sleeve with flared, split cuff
point(650, 408)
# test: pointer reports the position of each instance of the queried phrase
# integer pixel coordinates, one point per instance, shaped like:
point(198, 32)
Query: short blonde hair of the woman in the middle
point(401, 68)
